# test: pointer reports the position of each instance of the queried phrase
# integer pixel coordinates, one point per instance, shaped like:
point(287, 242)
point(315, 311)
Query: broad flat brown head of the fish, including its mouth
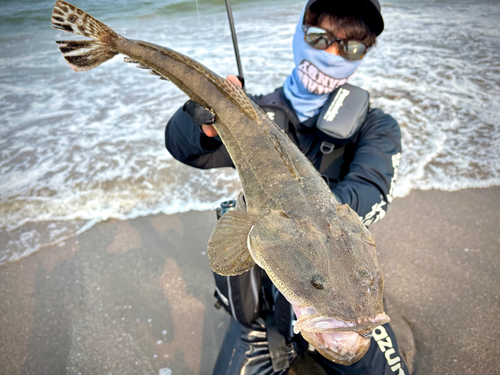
point(326, 266)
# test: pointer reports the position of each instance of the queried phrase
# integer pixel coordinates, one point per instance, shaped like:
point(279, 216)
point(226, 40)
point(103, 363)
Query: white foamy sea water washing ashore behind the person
point(76, 149)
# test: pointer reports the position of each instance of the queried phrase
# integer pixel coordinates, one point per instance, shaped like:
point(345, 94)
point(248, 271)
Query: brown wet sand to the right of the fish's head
point(440, 253)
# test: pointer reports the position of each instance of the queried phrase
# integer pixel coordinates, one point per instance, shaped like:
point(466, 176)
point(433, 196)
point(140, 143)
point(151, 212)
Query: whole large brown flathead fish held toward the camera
point(316, 251)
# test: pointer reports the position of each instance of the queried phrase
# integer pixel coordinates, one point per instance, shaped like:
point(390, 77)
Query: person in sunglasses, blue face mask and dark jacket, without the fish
point(359, 162)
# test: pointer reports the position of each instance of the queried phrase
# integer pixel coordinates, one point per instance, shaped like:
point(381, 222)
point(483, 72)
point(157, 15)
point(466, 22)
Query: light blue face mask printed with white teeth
point(317, 73)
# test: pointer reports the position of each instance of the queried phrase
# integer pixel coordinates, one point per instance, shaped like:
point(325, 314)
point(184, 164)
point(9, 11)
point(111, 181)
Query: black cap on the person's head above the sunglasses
point(368, 10)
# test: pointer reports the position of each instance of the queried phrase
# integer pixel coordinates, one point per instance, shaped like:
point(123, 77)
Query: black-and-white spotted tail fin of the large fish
point(83, 55)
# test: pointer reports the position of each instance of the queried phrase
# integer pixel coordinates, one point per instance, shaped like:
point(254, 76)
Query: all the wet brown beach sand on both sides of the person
point(136, 296)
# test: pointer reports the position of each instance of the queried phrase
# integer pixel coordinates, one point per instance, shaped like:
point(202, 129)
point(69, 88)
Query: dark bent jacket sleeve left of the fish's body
point(189, 145)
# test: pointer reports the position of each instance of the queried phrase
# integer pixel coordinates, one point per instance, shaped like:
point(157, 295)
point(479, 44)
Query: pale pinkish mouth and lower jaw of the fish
point(343, 342)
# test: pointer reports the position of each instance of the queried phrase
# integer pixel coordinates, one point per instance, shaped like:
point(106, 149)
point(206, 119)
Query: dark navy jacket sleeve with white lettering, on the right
point(368, 185)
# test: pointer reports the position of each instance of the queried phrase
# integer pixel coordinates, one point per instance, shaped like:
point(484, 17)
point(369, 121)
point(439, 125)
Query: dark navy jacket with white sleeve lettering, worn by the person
point(368, 170)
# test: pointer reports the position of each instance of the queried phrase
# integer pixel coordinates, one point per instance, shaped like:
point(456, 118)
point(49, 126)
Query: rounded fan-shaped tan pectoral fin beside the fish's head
point(227, 247)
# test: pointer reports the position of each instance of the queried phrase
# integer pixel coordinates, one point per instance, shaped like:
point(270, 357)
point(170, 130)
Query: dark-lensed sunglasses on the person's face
point(321, 39)
